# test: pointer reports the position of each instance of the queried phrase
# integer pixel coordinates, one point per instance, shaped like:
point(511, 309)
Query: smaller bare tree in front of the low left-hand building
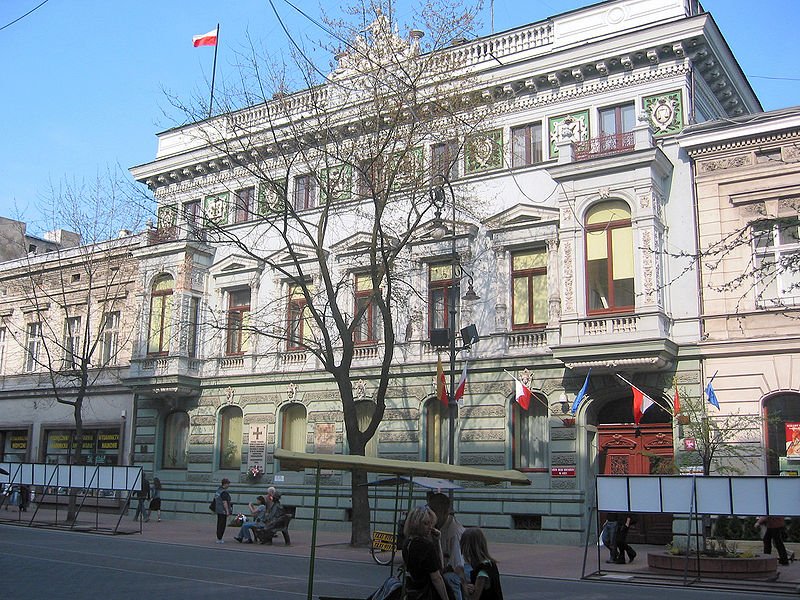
point(71, 323)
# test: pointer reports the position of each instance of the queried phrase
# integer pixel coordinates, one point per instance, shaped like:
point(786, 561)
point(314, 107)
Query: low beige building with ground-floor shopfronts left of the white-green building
point(65, 323)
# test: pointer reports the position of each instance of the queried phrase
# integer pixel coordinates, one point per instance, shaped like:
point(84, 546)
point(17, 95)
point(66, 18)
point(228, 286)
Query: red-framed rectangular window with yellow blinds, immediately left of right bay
point(529, 289)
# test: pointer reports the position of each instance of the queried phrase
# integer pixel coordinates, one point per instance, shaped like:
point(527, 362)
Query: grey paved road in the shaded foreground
point(53, 565)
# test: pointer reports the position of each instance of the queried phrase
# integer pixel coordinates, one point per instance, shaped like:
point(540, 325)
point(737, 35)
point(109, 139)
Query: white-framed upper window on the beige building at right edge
point(777, 261)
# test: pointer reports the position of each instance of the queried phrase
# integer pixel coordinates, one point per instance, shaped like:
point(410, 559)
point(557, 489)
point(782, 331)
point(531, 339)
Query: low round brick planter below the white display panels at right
point(733, 568)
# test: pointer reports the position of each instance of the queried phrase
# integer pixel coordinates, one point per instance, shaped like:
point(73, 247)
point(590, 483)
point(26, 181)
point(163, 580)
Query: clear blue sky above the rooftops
point(85, 82)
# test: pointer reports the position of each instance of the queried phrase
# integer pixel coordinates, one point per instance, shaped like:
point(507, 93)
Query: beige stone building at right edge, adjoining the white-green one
point(746, 173)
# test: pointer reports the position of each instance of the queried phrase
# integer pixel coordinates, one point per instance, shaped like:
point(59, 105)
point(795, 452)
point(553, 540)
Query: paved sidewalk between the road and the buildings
point(532, 560)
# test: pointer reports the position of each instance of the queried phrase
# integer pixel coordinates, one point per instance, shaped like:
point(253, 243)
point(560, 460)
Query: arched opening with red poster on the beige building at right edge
point(783, 434)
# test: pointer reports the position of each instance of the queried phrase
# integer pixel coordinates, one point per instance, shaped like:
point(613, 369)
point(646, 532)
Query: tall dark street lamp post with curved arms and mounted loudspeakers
point(447, 337)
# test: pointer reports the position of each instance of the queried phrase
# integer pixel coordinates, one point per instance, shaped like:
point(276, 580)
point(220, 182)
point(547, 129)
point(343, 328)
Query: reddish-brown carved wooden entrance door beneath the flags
point(626, 450)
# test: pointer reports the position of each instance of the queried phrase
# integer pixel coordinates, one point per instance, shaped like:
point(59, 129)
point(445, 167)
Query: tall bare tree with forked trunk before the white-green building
point(354, 139)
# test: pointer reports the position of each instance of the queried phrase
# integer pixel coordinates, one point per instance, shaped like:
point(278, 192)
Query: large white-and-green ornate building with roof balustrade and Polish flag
point(573, 225)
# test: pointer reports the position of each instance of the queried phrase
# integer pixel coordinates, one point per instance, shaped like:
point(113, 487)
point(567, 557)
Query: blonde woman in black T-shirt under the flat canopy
point(422, 557)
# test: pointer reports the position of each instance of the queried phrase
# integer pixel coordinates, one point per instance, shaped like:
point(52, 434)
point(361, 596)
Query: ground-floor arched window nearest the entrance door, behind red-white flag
point(529, 431)
